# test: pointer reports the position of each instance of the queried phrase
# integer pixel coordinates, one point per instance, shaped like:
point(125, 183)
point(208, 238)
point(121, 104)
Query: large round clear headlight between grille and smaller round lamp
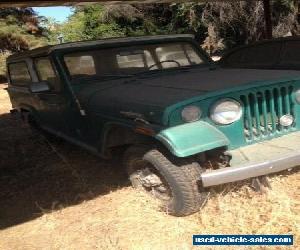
point(226, 111)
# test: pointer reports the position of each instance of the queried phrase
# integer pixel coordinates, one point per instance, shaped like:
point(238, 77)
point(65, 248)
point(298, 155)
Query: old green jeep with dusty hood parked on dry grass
point(185, 125)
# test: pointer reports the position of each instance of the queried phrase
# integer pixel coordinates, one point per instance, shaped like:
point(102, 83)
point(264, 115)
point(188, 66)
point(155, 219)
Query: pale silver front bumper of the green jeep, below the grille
point(256, 160)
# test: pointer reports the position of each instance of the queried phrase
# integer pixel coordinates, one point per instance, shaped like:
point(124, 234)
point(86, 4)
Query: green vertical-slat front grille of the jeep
point(262, 110)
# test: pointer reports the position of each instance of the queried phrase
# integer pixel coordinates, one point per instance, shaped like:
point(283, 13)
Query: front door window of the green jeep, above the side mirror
point(46, 72)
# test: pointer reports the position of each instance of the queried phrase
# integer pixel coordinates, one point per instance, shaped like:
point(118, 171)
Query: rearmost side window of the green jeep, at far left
point(19, 74)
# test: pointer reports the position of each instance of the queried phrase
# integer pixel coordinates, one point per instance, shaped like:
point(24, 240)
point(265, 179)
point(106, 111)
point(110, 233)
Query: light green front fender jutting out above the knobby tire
point(192, 138)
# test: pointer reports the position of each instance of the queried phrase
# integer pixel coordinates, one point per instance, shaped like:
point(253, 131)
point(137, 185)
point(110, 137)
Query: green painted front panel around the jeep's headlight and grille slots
point(235, 131)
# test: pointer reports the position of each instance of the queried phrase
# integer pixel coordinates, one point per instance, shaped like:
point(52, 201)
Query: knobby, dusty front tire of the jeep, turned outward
point(179, 175)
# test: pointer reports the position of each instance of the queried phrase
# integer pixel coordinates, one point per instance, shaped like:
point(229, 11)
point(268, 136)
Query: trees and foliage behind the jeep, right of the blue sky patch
point(218, 25)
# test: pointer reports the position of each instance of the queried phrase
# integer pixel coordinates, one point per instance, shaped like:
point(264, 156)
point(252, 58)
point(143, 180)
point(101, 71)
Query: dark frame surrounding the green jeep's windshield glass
point(207, 62)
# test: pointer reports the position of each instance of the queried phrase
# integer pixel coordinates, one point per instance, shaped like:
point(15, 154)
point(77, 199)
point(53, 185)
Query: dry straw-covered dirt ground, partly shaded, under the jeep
point(56, 196)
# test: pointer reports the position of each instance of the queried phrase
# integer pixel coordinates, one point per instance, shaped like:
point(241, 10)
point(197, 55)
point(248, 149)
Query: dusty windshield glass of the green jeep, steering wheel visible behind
point(132, 59)
